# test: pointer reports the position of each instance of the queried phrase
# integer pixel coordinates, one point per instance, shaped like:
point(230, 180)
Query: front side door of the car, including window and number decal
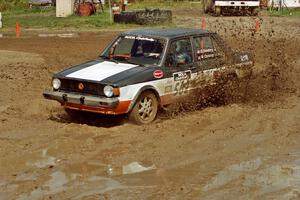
point(179, 65)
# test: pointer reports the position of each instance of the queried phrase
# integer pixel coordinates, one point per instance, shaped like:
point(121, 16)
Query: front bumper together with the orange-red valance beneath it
point(88, 103)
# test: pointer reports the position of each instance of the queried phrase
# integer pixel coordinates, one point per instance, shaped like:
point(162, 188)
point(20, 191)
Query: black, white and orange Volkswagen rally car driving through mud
point(143, 70)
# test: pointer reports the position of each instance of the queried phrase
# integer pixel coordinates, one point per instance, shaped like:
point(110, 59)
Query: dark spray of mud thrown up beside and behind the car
point(273, 76)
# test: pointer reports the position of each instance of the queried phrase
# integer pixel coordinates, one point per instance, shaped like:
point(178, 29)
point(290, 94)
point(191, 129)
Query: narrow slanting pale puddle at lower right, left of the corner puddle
point(232, 172)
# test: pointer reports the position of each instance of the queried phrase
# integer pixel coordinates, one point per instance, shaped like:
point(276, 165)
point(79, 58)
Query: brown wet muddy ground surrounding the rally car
point(248, 149)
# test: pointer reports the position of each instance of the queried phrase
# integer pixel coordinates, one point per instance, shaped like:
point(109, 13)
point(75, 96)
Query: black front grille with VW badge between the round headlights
point(89, 87)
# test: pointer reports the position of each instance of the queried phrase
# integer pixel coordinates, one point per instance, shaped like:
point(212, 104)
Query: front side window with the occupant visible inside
point(180, 53)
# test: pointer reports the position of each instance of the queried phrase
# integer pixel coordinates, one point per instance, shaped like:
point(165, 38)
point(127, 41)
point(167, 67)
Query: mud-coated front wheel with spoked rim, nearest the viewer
point(145, 109)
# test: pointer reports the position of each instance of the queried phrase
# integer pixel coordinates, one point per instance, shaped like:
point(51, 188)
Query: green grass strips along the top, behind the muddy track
point(38, 18)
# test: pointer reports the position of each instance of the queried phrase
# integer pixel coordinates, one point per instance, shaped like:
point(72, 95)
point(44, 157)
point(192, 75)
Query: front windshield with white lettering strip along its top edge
point(136, 50)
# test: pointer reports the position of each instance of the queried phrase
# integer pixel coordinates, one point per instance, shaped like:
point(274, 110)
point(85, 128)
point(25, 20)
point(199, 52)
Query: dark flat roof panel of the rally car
point(166, 32)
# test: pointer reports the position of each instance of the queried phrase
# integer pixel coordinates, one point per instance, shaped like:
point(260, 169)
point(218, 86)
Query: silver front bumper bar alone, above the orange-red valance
point(66, 98)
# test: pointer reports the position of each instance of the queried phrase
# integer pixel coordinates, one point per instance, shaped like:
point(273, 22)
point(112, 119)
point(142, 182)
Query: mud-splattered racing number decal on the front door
point(181, 82)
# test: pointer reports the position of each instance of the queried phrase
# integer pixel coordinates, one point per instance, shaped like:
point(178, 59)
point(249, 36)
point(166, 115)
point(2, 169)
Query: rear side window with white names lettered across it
point(204, 48)
